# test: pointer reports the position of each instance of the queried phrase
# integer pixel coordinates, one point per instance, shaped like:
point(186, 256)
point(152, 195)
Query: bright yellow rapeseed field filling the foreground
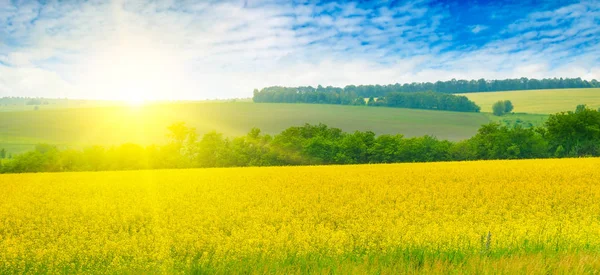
point(490, 216)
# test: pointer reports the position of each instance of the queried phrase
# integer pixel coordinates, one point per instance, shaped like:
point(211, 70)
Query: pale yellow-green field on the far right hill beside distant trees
point(539, 101)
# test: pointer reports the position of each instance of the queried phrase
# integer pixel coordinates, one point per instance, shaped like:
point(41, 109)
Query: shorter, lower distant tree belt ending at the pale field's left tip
point(416, 100)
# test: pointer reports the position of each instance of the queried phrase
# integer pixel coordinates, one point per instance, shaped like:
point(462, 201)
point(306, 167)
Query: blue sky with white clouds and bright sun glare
point(125, 49)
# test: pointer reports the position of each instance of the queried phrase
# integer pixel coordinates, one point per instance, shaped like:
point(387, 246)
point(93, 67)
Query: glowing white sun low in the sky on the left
point(134, 71)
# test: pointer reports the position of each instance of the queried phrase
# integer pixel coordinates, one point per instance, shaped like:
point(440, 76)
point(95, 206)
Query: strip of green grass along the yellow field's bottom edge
point(400, 261)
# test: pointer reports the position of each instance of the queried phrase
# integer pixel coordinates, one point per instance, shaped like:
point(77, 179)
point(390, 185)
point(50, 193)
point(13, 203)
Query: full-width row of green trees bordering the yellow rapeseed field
point(567, 134)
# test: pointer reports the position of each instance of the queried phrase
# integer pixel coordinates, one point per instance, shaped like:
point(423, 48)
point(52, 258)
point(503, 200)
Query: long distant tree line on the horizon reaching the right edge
point(316, 95)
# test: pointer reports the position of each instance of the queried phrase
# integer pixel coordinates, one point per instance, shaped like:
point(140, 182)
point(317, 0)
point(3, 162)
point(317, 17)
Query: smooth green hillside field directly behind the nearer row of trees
point(147, 124)
